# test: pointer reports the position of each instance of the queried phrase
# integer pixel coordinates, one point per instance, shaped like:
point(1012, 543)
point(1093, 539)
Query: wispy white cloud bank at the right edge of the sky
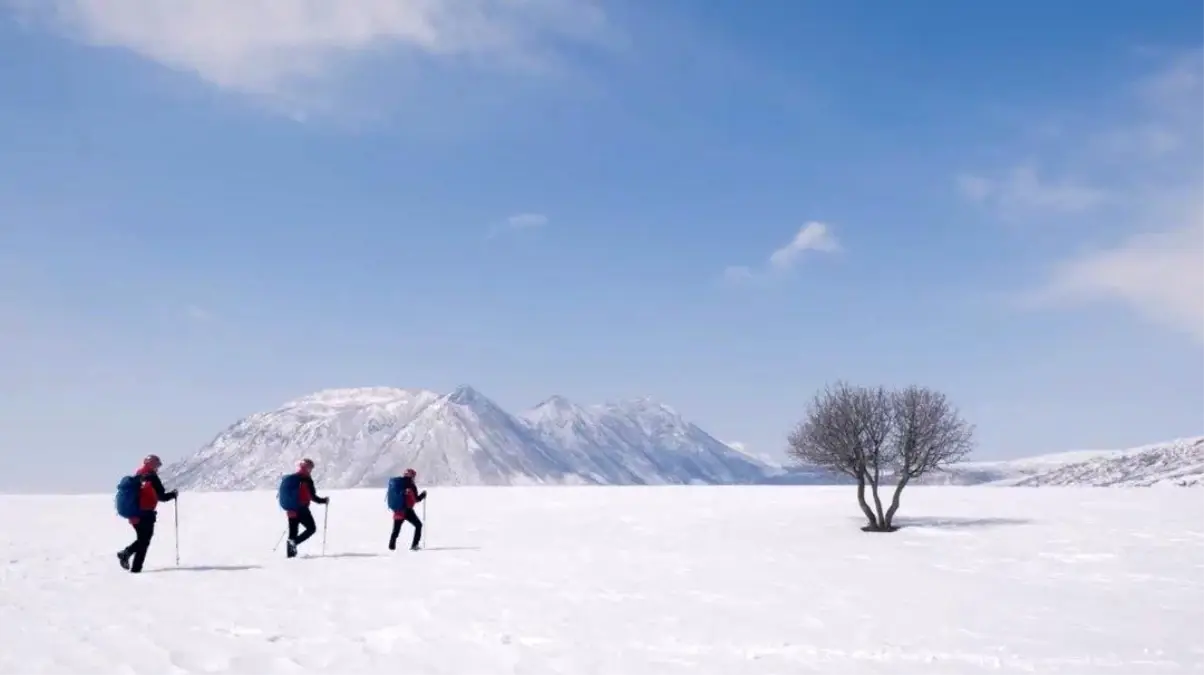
point(1153, 167)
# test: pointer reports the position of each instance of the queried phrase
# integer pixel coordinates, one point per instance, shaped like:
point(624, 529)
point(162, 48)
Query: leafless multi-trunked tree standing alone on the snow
point(872, 435)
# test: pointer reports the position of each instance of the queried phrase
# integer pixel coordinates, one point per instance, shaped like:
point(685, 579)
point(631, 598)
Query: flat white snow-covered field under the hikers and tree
point(617, 582)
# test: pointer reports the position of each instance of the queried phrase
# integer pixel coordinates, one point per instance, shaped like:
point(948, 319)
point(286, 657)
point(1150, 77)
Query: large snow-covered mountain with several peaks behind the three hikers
point(361, 437)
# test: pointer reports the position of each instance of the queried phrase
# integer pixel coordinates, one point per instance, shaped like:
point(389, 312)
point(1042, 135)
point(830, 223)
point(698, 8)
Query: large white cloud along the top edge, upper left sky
point(285, 49)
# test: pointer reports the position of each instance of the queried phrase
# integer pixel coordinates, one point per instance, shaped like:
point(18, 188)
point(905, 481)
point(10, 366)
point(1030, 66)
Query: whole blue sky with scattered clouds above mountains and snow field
point(209, 209)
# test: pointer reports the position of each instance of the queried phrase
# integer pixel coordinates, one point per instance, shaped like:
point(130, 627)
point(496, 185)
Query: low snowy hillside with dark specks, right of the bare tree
point(1177, 463)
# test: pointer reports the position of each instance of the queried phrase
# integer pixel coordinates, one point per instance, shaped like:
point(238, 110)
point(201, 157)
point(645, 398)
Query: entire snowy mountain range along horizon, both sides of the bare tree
point(362, 436)
